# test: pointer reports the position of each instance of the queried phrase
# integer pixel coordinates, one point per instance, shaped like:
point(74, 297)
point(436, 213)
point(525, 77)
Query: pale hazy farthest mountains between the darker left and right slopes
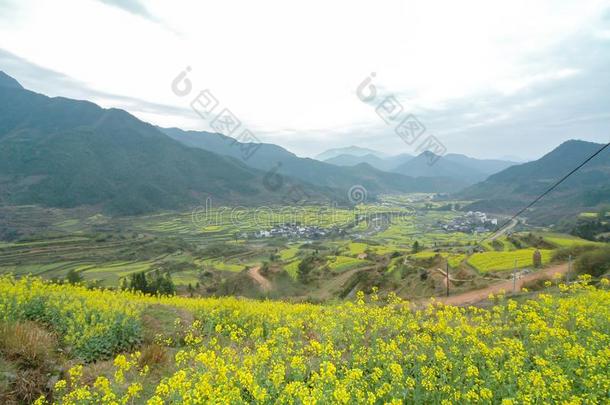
point(461, 168)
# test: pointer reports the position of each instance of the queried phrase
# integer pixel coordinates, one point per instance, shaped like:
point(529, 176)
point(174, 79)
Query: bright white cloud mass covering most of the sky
point(289, 69)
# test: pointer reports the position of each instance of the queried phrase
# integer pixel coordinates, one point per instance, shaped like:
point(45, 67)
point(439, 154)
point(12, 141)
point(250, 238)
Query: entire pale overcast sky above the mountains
point(489, 79)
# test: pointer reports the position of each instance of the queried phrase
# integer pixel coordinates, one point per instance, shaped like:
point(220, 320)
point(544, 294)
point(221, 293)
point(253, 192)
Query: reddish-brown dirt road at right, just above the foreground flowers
point(475, 296)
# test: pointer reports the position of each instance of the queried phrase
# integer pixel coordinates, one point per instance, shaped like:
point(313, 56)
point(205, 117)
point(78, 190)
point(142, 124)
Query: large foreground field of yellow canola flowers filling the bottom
point(555, 348)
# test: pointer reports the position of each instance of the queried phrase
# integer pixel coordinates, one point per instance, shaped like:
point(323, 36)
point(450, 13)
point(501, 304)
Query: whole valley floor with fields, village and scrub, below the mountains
point(303, 253)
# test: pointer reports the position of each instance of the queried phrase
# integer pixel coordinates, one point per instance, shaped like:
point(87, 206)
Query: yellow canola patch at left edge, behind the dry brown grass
point(93, 322)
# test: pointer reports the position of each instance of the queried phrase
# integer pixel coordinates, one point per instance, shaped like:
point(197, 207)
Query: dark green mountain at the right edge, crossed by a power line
point(516, 186)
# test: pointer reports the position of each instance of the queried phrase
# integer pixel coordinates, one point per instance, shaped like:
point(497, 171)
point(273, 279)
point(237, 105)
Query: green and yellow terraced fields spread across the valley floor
point(107, 250)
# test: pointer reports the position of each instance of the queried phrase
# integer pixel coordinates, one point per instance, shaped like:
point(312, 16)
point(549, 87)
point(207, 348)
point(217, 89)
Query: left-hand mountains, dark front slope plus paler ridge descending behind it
point(66, 153)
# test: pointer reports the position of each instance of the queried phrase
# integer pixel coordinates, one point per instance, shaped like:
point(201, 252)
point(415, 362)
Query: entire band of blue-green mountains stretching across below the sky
point(60, 152)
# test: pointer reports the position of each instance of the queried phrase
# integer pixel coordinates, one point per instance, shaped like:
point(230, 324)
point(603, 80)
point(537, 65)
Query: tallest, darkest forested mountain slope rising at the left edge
point(65, 153)
